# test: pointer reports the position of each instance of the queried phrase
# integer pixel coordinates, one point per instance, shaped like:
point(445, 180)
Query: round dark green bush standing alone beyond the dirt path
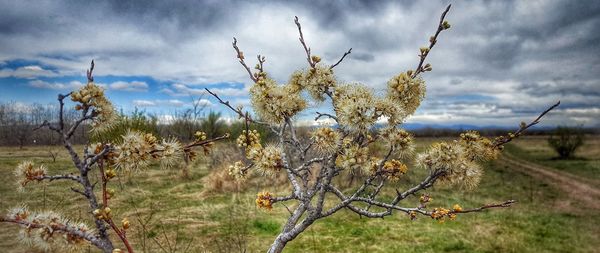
point(566, 140)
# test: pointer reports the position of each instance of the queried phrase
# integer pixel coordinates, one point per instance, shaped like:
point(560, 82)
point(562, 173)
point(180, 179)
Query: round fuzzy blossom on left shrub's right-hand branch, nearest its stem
point(136, 151)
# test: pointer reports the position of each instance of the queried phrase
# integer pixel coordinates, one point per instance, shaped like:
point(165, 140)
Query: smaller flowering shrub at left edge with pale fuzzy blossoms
point(48, 230)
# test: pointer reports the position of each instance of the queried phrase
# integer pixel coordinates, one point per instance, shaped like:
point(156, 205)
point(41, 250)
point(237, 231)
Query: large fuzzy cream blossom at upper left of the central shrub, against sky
point(274, 103)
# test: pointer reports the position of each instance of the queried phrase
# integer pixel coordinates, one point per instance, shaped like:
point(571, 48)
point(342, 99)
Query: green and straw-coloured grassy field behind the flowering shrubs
point(173, 214)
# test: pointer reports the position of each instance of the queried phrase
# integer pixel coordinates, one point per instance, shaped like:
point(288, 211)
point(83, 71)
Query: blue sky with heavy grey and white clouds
point(500, 63)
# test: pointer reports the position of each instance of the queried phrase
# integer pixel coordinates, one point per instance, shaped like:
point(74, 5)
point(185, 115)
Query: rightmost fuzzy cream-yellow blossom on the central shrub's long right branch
point(476, 147)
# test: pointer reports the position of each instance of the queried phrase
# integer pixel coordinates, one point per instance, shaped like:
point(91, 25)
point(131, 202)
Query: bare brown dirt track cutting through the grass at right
point(586, 191)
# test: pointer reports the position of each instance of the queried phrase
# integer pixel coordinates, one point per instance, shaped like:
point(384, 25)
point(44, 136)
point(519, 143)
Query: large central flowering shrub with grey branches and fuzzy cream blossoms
point(312, 164)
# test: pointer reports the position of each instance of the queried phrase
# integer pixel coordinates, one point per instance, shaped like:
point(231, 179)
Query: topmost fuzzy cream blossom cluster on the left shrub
point(92, 96)
